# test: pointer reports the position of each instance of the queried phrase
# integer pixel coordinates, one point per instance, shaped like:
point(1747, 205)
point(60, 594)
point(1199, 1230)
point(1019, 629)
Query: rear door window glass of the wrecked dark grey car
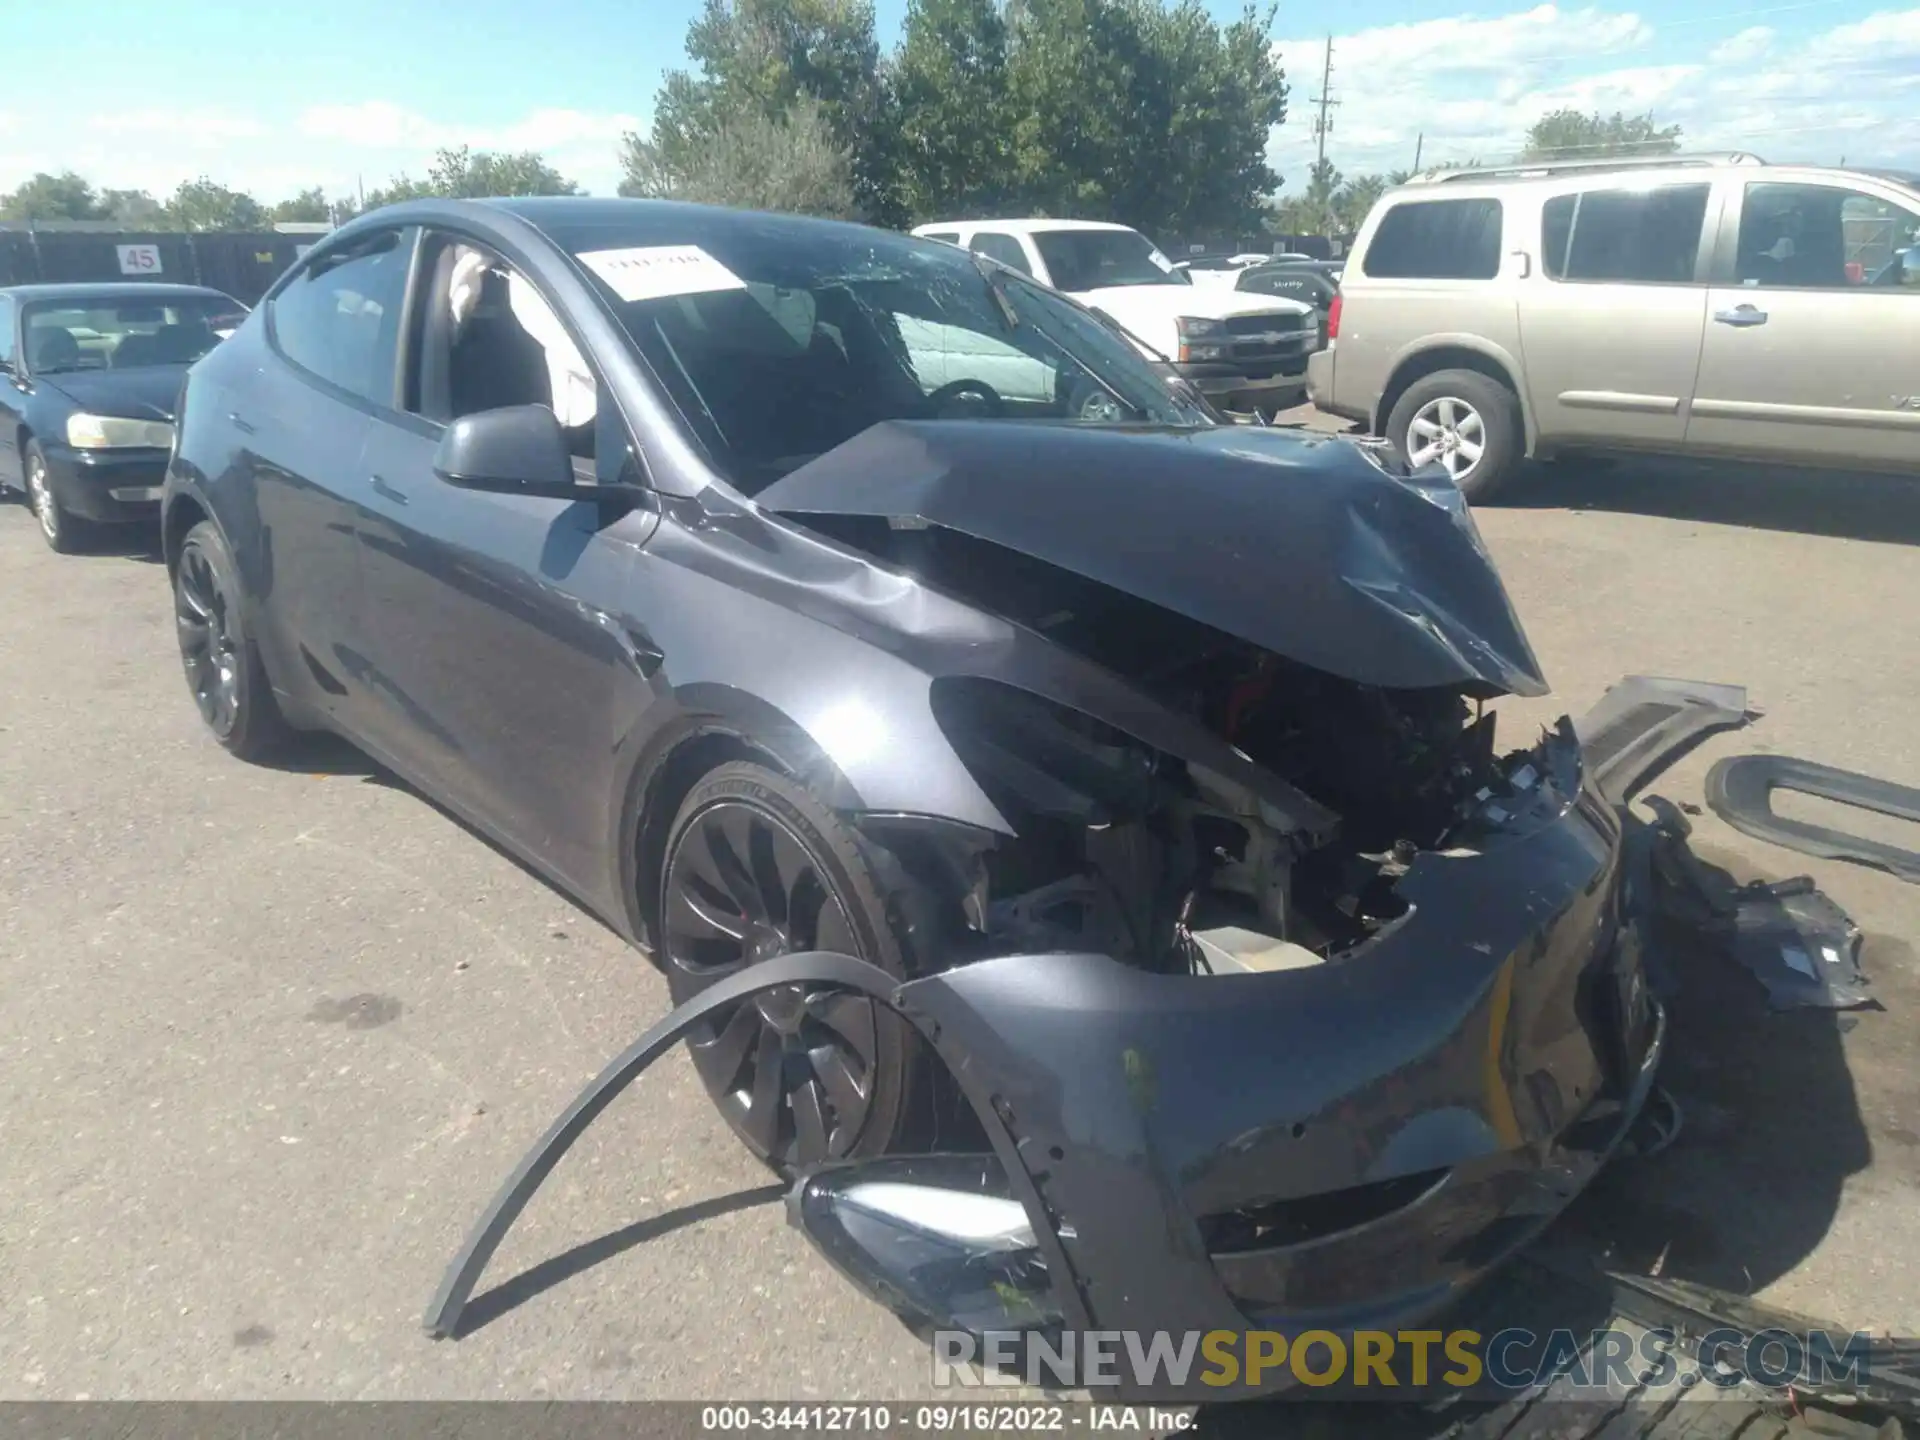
point(339, 320)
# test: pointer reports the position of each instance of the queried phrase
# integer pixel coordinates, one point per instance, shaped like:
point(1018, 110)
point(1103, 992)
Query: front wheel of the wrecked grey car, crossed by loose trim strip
point(759, 867)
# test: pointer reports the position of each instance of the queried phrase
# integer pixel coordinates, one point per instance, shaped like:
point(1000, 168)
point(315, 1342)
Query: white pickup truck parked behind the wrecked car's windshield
point(1241, 350)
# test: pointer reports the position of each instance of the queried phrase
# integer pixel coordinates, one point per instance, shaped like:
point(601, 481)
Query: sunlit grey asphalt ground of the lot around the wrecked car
point(272, 1038)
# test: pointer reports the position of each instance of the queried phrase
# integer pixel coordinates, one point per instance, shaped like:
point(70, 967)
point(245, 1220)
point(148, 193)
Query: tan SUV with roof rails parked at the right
point(1692, 306)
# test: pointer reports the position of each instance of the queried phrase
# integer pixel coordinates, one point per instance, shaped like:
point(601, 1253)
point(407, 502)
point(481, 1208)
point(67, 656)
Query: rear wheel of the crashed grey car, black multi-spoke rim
point(224, 667)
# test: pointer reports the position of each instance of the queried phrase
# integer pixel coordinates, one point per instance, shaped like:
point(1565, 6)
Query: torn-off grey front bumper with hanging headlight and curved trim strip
point(1337, 1147)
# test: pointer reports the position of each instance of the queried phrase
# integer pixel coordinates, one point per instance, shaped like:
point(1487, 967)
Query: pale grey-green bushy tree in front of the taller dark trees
point(754, 162)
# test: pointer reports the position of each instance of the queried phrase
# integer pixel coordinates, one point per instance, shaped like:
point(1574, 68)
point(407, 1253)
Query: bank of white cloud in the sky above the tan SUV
point(1470, 87)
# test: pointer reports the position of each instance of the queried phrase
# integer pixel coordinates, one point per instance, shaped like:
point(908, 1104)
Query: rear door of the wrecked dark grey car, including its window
point(333, 335)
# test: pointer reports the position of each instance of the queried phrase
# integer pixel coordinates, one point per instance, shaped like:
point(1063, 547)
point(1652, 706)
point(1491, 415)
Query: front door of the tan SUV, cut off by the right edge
point(1813, 337)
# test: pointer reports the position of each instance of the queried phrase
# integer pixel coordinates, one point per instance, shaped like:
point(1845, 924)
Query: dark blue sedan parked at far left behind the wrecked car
point(87, 418)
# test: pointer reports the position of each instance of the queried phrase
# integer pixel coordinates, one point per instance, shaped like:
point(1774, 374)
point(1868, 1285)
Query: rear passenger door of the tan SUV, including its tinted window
point(1614, 310)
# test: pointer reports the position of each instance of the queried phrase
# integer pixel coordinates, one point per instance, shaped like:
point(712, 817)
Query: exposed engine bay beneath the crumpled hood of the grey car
point(1138, 855)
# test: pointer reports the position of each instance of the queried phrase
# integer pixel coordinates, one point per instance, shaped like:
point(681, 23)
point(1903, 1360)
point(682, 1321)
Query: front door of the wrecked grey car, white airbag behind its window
point(508, 673)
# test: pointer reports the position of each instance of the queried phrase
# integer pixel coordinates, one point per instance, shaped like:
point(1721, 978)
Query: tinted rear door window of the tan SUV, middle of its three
point(1646, 237)
